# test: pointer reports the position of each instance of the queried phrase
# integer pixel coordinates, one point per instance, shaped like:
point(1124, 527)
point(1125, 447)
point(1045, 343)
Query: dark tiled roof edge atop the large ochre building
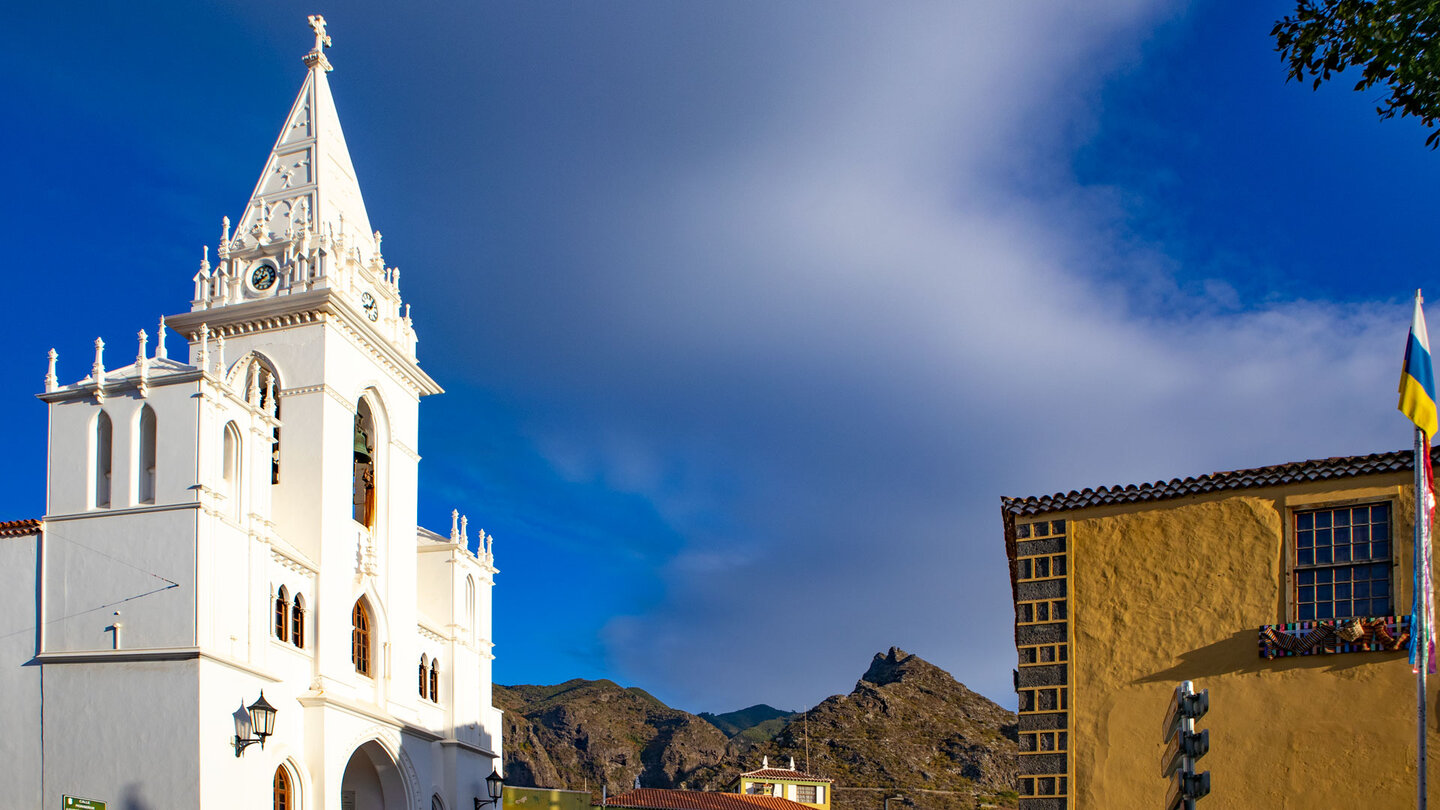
point(1298, 472)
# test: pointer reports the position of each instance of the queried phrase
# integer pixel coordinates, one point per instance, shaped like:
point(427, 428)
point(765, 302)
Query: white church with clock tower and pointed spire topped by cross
point(237, 528)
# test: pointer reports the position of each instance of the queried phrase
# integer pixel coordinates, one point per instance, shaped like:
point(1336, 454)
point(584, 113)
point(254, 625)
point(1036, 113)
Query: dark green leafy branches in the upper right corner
point(1393, 43)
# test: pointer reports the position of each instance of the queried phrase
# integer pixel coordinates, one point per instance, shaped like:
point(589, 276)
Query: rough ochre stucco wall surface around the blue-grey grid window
point(1176, 592)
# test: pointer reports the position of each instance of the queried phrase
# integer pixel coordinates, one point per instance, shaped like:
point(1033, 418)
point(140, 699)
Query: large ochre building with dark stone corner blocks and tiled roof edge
point(1248, 584)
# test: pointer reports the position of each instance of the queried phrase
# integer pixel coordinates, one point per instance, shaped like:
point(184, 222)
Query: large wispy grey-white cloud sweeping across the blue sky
point(829, 338)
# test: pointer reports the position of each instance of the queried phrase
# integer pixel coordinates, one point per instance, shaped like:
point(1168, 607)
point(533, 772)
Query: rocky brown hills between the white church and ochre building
point(906, 730)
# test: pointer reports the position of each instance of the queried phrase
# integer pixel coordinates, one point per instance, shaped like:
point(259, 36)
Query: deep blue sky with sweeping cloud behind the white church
point(750, 312)
